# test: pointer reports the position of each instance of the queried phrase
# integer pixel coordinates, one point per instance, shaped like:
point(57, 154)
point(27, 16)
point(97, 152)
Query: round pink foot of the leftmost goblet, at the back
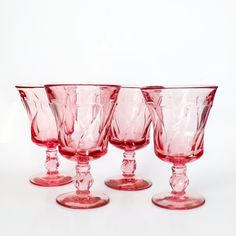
point(46, 180)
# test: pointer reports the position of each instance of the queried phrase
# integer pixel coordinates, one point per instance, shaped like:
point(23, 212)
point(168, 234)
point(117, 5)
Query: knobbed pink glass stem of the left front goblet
point(83, 179)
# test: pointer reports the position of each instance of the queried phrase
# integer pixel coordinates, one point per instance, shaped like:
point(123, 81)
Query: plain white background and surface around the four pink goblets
point(124, 42)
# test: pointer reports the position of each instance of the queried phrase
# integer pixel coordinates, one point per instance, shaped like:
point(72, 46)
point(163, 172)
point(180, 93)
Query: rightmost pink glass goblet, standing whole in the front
point(179, 117)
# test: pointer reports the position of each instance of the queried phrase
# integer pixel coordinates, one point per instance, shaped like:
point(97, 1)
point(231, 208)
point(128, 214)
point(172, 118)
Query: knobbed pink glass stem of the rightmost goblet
point(179, 180)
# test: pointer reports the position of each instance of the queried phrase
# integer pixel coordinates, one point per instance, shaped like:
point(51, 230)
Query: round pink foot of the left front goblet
point(77, 201)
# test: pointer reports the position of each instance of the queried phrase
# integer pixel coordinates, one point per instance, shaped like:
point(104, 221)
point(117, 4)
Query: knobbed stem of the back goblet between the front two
point(128, 166)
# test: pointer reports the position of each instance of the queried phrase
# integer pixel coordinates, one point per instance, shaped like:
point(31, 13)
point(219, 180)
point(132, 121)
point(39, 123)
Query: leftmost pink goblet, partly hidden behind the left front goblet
point(43, 133)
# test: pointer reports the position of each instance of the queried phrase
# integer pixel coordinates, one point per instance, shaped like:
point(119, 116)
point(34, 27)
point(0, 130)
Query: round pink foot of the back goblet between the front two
point(128, 184)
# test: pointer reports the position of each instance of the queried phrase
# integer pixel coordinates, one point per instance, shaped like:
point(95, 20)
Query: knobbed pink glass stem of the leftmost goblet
point(52, 162)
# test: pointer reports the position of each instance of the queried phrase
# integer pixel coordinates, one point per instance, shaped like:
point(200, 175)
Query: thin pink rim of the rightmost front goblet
point(180, 87)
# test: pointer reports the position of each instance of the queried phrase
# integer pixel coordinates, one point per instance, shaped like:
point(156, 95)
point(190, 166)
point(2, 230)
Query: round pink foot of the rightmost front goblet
point(178, 202)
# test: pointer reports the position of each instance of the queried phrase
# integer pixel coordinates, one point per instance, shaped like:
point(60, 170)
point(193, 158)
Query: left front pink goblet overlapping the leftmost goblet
point(83, 114)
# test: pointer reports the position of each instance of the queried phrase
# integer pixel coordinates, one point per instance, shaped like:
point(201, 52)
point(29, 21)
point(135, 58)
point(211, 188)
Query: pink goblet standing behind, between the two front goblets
point(130, 132)
